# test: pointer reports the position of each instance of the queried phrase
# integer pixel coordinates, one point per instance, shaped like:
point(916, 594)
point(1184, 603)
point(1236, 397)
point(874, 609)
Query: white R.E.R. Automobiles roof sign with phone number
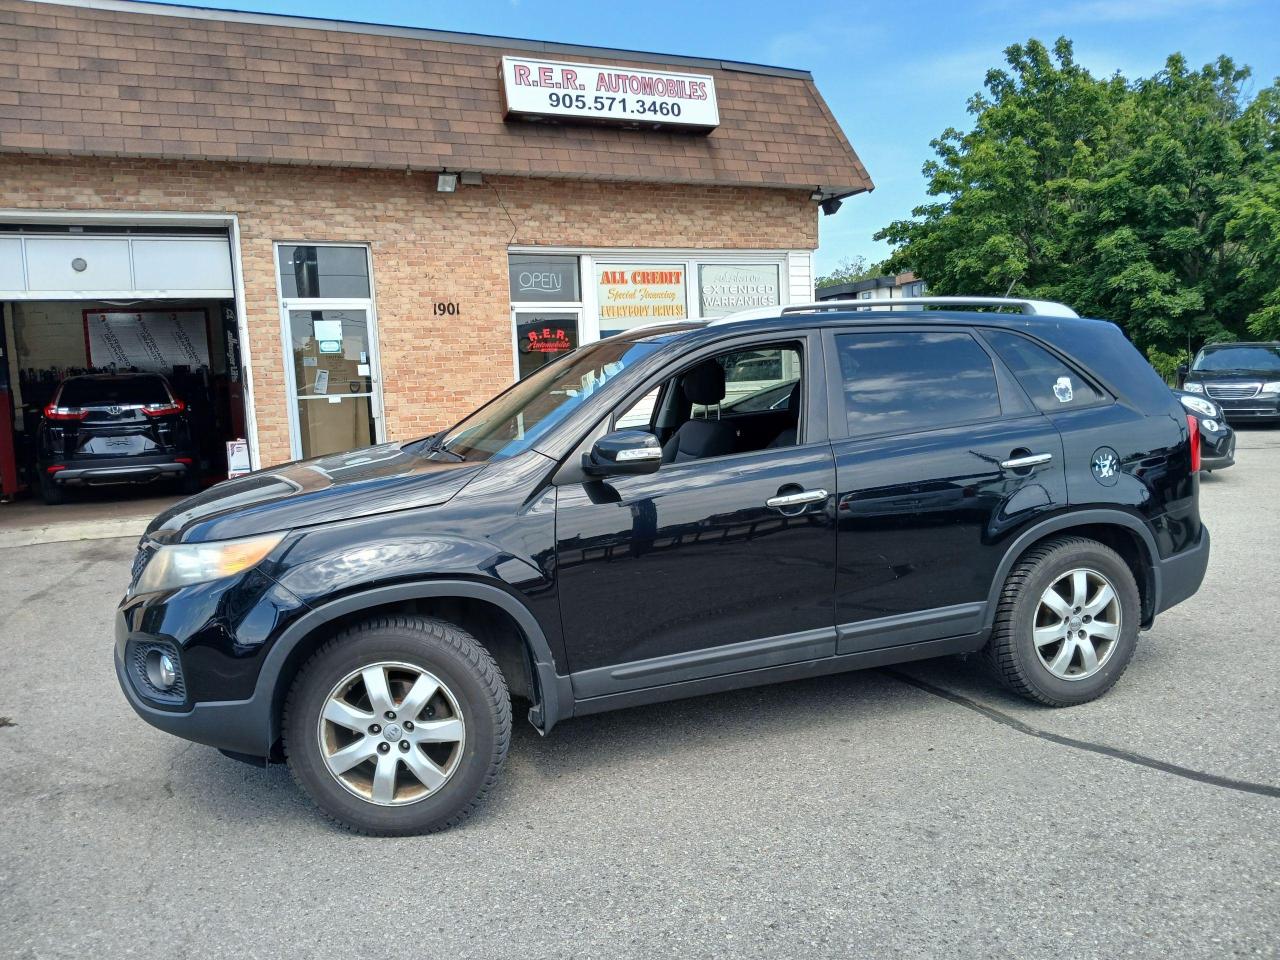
point(545, 90)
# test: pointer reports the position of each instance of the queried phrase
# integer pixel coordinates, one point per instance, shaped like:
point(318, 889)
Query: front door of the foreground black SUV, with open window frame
point(691, 573)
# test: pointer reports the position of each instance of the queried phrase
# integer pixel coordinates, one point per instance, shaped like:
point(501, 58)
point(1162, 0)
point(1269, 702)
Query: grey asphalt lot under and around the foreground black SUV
point(918, 812)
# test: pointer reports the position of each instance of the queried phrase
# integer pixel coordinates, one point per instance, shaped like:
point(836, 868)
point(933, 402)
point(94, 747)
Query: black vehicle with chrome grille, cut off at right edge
point(1242, 378)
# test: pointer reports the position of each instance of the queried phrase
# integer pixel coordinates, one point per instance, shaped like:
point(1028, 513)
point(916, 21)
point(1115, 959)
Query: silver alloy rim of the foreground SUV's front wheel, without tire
point(391, 734)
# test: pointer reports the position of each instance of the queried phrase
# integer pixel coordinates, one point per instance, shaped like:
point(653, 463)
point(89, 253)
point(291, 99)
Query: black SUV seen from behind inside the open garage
point(106, 429)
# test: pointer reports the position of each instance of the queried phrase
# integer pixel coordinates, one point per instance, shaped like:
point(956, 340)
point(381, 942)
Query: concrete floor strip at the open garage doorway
point(88, 516)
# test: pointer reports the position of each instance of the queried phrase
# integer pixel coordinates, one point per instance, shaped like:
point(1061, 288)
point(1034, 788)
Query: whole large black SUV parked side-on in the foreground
point(932, 483)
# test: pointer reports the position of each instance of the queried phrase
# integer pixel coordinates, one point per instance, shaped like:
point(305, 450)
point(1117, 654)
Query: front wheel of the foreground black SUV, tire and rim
point(472, 710)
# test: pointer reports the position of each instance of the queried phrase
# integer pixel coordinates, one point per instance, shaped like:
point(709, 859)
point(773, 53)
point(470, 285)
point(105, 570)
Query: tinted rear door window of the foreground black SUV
point(899, 383)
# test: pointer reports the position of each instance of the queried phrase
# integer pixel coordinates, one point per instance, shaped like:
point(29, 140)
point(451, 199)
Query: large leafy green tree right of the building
point(1153, 204)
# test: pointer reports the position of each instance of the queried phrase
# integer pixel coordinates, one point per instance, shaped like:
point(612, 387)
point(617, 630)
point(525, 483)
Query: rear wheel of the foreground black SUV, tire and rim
point(1044, 633)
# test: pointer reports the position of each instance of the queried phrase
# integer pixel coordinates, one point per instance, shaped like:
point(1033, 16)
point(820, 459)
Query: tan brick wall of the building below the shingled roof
point(427, 248)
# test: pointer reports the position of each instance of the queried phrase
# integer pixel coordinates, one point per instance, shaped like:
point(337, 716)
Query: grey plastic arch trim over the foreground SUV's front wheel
point(514, 637)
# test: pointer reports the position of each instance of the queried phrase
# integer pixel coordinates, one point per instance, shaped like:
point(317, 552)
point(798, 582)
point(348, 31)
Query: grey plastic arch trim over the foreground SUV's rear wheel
point(1122, 532)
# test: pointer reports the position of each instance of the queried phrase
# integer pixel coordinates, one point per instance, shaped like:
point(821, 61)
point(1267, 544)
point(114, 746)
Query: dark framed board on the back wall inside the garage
point(148, 340)
